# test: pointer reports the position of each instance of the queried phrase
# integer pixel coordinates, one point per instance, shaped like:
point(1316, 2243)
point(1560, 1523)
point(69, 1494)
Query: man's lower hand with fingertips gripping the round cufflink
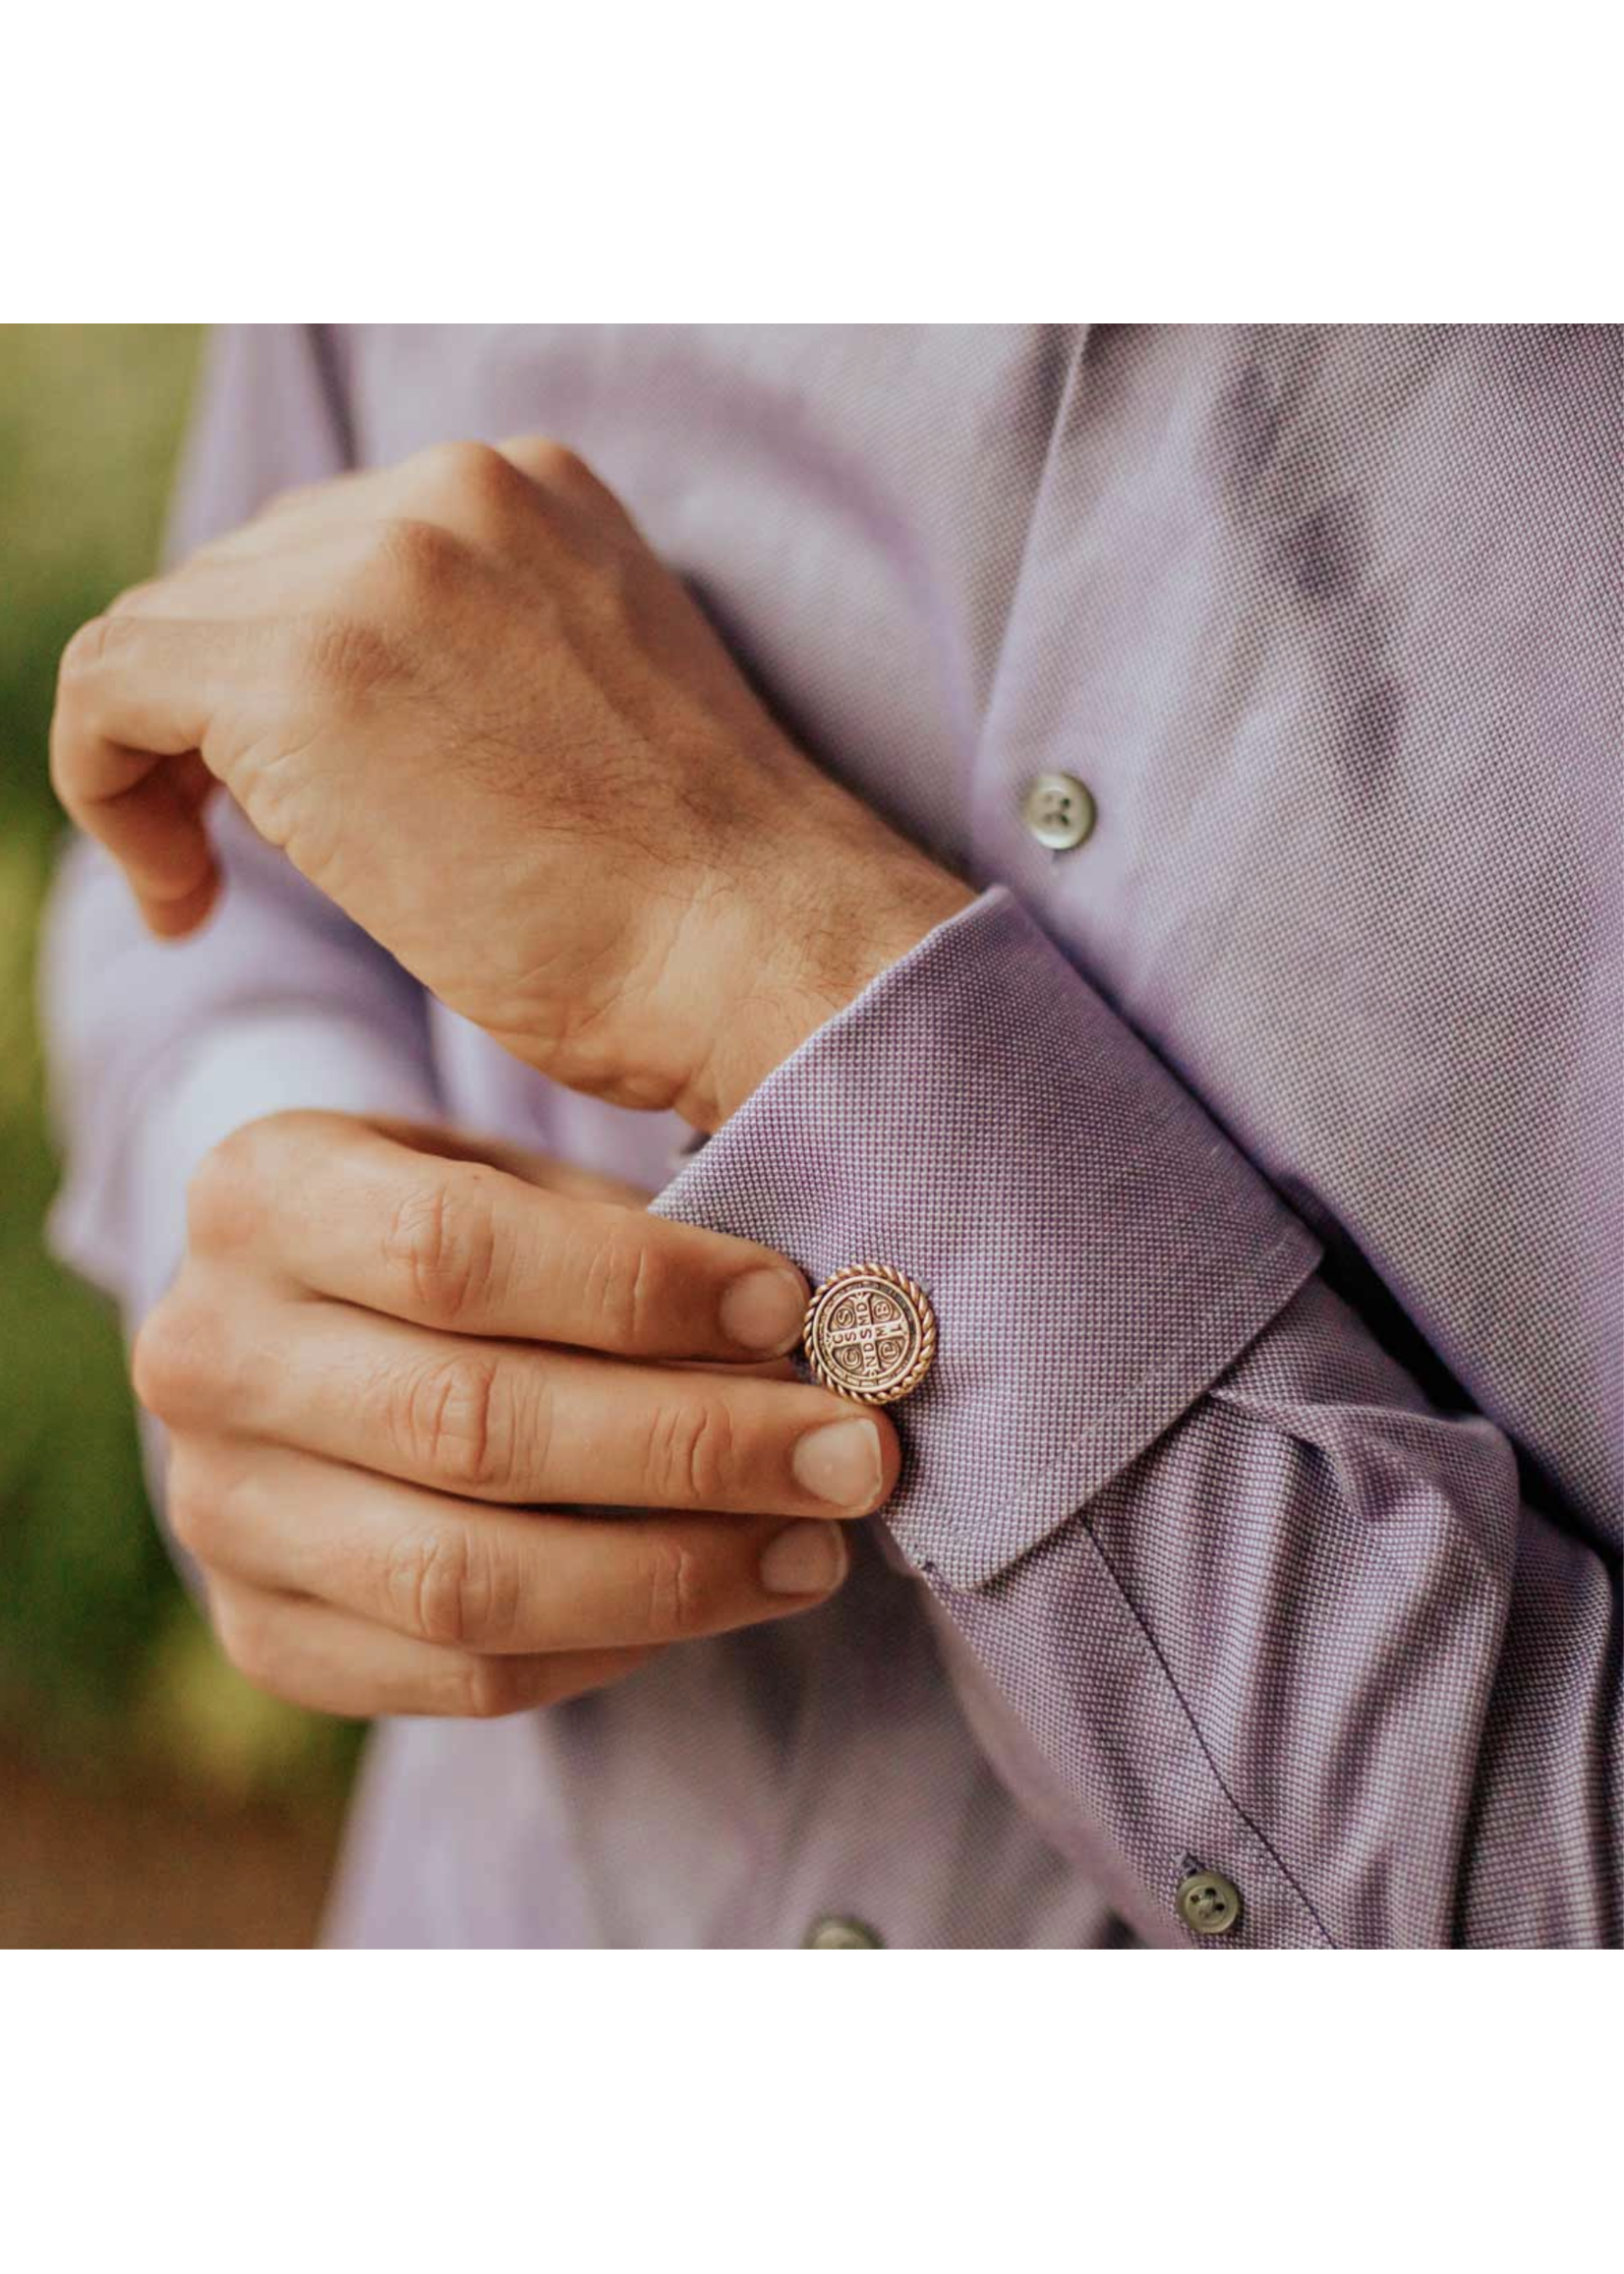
point(381, 1363)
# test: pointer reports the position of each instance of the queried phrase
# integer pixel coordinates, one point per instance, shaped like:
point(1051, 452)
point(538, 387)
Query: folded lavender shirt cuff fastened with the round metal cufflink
point(1095, 1250)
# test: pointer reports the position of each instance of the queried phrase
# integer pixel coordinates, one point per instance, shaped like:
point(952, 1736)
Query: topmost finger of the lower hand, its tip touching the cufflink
point(461, 1245)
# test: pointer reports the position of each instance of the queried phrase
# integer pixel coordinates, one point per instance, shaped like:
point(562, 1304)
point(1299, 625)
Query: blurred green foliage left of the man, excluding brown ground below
point(101, 1657)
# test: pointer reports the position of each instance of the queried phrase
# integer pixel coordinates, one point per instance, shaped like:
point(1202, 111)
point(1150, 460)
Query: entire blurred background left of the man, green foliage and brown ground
point(149, 1800)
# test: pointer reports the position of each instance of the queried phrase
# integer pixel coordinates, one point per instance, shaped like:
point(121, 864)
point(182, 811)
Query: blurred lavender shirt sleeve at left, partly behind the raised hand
point(158, 1049)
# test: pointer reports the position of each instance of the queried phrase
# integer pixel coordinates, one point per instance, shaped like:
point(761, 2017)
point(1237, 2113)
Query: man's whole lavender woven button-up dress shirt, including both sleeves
point(1261, 1154)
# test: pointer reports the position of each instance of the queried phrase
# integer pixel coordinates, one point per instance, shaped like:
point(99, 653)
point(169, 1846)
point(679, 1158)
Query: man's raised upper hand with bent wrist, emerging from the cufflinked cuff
point(481, 715)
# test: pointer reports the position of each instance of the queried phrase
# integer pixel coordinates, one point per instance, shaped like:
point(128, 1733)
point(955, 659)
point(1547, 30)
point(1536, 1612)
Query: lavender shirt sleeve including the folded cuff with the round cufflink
point(1243, 1595)
